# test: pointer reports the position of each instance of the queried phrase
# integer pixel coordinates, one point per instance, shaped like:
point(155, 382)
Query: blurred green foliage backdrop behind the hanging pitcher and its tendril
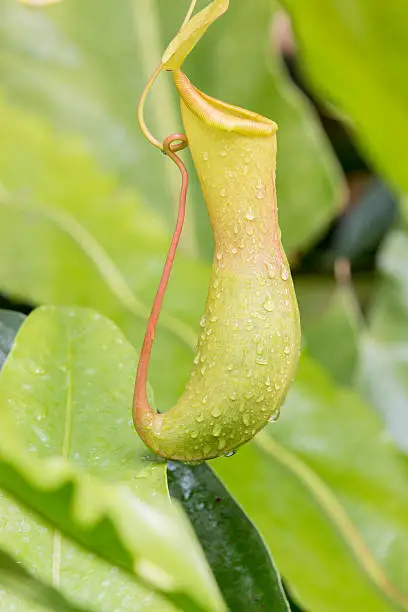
point(87, 208)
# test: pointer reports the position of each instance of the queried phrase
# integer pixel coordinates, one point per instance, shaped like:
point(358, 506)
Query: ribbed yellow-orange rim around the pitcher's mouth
point(219, 114)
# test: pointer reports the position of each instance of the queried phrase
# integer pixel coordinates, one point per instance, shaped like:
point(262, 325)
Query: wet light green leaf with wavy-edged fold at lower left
point(65, 395)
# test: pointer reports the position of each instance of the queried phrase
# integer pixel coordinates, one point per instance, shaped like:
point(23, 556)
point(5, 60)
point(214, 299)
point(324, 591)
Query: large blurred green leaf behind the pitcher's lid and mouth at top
point(83, 65)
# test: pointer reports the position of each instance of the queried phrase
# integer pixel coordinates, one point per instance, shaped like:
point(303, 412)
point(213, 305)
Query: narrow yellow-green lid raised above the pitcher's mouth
point(191, 33)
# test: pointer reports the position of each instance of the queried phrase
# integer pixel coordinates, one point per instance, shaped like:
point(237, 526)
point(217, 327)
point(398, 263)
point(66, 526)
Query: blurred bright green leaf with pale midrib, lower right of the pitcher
point(327, 491)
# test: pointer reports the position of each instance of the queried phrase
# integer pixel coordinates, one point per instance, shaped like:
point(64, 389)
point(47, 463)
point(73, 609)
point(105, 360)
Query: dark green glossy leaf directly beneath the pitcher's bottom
point(235, 551)
